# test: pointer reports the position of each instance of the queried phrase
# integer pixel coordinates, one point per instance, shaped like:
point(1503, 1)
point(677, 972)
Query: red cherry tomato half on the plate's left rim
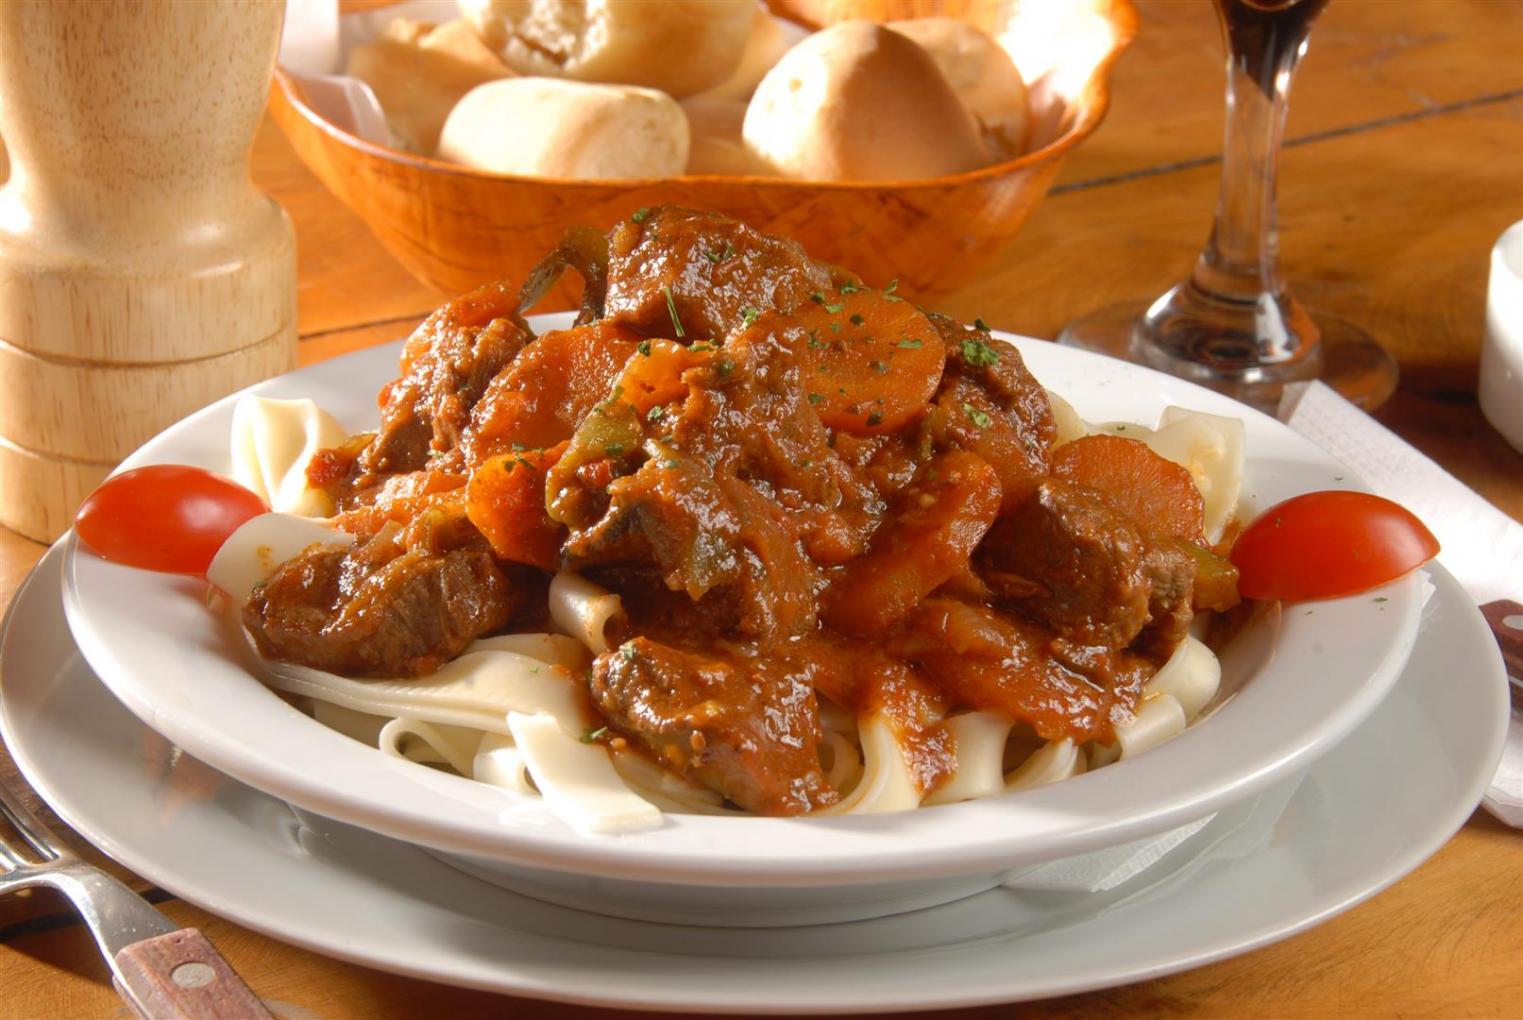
point(165, 518)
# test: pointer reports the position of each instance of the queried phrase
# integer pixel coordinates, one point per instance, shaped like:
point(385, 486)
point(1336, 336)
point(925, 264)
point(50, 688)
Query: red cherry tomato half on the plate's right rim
point(1327, 546)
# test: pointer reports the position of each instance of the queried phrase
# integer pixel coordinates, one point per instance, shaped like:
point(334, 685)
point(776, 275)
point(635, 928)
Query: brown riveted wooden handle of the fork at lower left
point(182, 975)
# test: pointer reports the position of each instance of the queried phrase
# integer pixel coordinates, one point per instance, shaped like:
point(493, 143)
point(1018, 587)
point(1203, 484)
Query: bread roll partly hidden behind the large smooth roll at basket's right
point(983, 77)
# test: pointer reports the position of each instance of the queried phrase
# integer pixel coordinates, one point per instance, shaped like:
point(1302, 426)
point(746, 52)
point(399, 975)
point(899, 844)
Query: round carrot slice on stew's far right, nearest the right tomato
point(1158, 496)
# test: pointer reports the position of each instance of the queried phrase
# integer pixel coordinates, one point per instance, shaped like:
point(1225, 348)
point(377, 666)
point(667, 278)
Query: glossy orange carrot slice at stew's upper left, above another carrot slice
point(555, 381)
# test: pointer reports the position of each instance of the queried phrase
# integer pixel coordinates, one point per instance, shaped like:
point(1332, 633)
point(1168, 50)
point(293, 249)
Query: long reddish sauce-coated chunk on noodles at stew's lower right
point(998, 663)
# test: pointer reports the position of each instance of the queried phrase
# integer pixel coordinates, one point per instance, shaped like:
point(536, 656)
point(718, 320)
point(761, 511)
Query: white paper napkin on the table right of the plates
point(1481, 546)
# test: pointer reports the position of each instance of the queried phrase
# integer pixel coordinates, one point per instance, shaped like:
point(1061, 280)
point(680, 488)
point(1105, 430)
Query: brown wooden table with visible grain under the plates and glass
point(1403, 167)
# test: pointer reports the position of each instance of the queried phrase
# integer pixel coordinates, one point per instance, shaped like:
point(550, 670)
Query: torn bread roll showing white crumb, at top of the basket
point(678, 46)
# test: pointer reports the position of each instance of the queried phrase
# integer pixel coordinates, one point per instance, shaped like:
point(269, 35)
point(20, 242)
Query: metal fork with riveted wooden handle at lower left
point(158, 967)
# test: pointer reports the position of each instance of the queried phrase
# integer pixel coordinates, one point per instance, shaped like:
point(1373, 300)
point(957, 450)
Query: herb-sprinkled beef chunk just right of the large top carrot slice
point(992, 406)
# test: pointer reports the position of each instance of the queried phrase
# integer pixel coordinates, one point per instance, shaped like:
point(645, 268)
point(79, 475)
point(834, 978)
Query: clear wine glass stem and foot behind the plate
point(1233, 325)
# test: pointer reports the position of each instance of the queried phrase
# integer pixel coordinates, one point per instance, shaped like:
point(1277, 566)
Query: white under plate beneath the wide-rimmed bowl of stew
point(1368, 812)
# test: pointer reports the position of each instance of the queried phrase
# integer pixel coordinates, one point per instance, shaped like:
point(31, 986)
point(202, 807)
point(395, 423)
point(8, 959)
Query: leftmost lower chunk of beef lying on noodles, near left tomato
point(380, 610)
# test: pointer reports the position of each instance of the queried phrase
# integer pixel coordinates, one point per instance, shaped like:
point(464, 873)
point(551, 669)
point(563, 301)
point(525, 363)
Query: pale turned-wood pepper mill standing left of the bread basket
point(142, 275)
